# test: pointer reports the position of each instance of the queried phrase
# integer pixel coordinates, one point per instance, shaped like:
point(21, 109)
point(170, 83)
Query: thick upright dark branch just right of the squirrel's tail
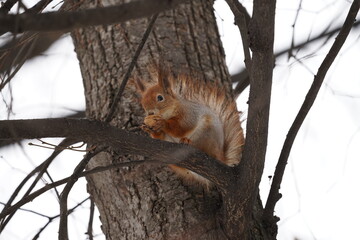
point(262, 40)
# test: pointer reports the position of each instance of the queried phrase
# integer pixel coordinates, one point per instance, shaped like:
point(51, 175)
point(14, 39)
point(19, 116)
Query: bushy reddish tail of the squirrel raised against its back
point(213, 96)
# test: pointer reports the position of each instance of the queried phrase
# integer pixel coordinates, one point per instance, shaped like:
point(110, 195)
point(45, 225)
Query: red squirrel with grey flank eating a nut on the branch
point(183, 110)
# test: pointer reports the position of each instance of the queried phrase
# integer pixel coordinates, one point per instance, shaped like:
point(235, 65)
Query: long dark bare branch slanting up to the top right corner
point(274, 194)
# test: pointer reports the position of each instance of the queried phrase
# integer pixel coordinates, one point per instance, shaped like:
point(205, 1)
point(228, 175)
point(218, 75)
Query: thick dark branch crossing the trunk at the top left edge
point(55, 21)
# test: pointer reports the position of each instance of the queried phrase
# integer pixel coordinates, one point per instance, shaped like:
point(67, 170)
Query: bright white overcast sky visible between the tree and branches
point(321, 182)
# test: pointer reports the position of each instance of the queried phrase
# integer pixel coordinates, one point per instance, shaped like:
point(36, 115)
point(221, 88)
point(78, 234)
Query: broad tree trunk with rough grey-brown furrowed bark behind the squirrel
point(149, 201)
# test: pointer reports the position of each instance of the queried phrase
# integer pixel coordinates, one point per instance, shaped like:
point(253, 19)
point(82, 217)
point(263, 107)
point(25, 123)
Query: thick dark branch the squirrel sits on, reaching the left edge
point(103, 134)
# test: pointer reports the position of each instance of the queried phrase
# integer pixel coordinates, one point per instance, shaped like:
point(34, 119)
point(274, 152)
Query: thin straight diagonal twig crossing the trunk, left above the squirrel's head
point(130, 68)
